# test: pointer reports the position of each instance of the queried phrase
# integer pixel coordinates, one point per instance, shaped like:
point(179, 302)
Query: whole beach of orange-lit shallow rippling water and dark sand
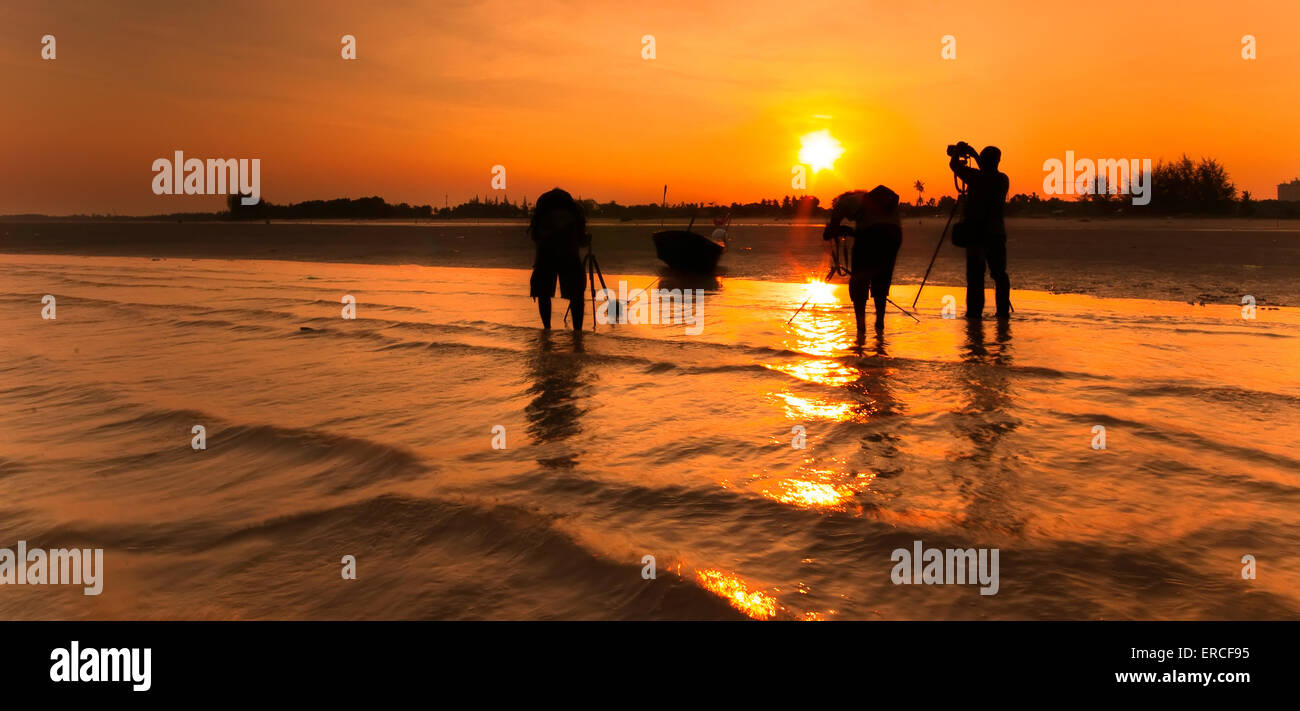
point(330, 437)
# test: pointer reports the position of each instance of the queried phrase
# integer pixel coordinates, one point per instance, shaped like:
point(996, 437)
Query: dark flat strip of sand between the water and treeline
point(1168, 261)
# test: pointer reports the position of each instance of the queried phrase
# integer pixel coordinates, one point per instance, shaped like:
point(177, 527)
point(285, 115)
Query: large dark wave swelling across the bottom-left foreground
point(465, 560)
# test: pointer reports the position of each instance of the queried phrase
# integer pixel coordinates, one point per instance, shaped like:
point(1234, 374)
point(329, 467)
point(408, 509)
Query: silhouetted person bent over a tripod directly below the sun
point(877, 237)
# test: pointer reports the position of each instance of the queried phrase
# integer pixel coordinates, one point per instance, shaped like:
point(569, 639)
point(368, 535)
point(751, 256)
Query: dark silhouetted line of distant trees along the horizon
point(1180, 189)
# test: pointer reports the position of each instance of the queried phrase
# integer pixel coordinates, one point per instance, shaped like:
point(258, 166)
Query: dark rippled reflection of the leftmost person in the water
point(554, 414)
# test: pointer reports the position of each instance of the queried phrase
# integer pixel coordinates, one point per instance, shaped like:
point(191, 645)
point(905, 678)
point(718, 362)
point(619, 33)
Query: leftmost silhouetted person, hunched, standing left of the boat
point(560, 231)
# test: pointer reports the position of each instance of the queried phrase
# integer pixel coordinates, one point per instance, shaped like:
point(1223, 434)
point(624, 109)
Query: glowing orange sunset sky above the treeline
point(560, 96)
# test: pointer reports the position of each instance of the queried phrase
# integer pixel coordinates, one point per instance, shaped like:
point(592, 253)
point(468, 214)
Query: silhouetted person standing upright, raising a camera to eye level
point(982, 222)
